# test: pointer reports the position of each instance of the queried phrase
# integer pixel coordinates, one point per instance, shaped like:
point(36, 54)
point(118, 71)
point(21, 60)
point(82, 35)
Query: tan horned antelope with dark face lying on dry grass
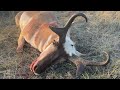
point(42, 31)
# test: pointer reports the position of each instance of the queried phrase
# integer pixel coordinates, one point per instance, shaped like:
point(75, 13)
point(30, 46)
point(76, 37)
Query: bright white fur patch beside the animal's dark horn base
point(69, 47)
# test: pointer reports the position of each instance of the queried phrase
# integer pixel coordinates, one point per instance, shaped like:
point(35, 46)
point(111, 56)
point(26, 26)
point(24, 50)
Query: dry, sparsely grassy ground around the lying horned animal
point(100, 33)
